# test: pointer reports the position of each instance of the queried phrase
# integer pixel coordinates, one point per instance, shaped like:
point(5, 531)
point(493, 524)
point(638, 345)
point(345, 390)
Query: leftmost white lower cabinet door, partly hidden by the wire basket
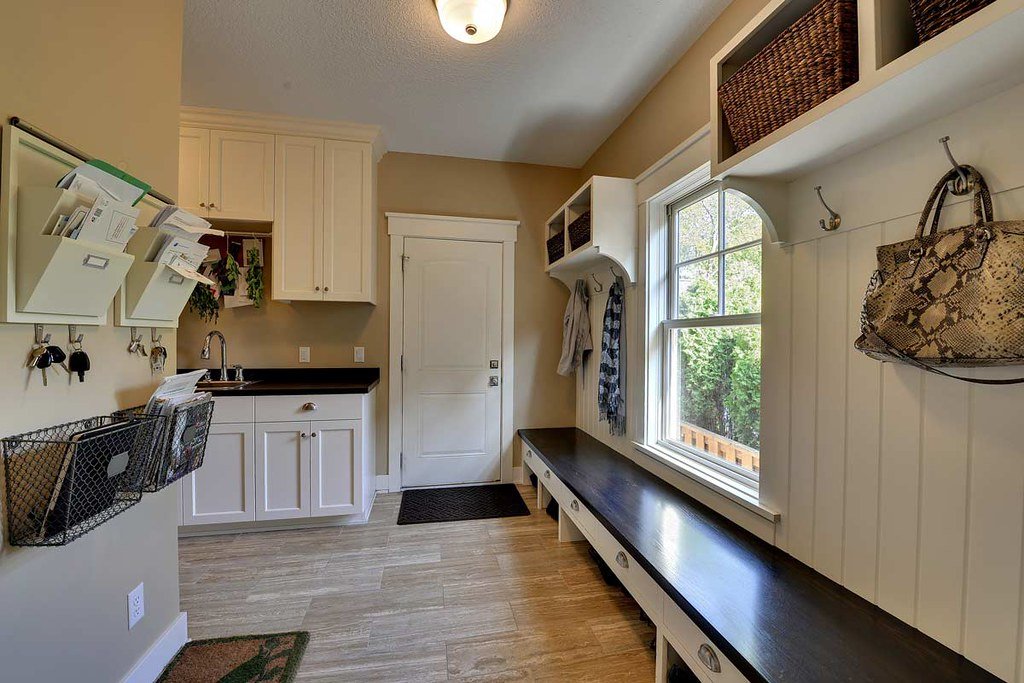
point(223, 490)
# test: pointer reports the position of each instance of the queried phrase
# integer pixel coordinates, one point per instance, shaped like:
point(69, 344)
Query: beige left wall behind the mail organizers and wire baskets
point(65, 610)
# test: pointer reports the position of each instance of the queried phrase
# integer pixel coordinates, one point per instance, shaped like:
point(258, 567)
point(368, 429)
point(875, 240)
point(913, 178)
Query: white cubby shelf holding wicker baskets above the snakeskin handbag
point(899, 91)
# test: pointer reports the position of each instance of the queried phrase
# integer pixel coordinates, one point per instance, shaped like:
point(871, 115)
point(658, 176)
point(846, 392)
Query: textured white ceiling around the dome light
point(549, 90)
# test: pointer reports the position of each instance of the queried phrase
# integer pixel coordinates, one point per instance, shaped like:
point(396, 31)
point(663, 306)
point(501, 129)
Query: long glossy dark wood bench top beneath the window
point(775, 618)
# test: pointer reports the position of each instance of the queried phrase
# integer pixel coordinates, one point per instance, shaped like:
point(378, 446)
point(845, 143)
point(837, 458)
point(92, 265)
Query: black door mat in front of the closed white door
point(422, 506)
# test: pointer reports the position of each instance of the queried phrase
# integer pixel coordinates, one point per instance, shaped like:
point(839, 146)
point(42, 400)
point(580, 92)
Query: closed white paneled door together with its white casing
point(459, 429)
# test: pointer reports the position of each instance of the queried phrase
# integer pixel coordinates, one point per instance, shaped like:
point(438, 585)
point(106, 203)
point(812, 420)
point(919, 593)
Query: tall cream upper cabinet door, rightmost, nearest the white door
point(350, 223)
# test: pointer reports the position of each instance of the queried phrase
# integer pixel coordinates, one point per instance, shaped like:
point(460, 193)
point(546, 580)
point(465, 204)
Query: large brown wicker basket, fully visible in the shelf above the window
point(807, 64)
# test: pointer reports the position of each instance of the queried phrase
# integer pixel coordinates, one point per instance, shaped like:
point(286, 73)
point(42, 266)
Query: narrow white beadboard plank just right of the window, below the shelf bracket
point(803, 403)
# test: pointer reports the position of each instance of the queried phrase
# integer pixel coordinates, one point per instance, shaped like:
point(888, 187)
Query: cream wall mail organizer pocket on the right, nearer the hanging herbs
point(154, 291)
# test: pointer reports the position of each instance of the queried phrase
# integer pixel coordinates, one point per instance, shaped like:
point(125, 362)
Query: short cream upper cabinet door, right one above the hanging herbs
point(241, 176)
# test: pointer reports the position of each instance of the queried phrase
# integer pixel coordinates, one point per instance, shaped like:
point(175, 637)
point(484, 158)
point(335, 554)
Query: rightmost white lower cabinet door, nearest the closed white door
point(337, 467)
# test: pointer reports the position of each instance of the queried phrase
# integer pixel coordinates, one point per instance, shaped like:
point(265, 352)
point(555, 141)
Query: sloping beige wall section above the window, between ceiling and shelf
point(675, 108)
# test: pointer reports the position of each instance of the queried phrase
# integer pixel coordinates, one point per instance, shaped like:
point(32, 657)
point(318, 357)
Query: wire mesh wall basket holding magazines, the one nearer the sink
point(181, 442)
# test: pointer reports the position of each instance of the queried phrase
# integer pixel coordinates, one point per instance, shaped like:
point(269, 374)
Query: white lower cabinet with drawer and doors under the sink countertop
point(268, 465)
